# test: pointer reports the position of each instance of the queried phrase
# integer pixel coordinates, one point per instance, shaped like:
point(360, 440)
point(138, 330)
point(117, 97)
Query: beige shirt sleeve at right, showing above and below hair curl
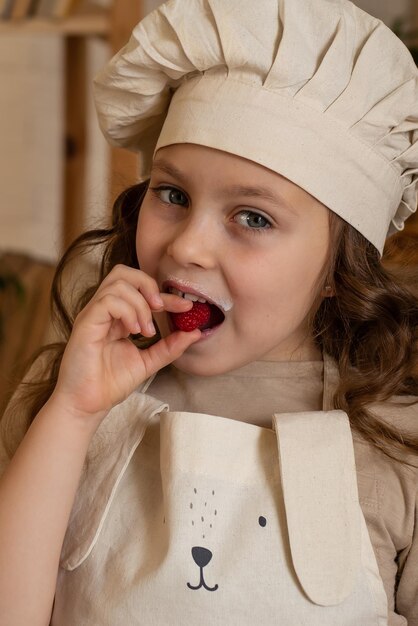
point(393, 518)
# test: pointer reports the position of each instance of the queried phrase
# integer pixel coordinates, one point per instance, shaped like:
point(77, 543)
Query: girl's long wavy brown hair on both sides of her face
point(369, 325)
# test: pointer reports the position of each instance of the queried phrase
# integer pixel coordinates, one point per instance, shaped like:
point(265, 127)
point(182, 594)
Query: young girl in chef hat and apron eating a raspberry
point(254, 460)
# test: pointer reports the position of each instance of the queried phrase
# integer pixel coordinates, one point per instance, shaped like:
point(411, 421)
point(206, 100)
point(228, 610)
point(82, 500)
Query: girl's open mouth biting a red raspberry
point(204, 315)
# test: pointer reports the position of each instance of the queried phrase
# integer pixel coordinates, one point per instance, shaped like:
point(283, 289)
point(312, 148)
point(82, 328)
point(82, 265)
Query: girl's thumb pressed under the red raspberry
point(167, 350)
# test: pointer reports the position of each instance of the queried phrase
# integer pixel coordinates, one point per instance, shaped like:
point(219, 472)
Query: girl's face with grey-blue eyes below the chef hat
point(246, 238)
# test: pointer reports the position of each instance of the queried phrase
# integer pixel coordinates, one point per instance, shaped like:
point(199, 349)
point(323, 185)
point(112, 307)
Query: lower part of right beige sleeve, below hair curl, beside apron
point(388, 498)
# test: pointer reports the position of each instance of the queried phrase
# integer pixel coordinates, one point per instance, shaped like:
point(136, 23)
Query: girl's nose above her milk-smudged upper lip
point(194, 243)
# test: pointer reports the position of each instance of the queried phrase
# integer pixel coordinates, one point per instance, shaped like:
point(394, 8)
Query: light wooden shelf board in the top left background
point(75, 25)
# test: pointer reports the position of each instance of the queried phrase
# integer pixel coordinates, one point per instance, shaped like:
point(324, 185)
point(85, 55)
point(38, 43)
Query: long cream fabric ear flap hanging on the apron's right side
point(319, 485)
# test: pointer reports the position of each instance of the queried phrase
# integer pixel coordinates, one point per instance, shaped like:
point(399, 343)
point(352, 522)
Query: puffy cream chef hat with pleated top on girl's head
point(319, 91)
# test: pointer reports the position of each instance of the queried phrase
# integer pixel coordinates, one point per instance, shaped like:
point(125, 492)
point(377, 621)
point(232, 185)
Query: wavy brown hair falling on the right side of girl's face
point(370, 328)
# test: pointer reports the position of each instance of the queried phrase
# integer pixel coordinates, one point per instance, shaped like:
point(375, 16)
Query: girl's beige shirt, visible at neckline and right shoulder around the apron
point(388, 490)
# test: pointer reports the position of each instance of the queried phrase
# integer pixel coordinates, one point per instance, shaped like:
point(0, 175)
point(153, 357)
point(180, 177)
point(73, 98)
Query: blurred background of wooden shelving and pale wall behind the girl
point(57, 175)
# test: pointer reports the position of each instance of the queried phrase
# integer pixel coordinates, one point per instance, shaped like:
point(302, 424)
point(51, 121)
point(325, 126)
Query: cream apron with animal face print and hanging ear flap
point(185, 519)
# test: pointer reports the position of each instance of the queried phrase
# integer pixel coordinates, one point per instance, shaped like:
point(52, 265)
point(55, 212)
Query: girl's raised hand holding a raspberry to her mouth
point(100, 365)
